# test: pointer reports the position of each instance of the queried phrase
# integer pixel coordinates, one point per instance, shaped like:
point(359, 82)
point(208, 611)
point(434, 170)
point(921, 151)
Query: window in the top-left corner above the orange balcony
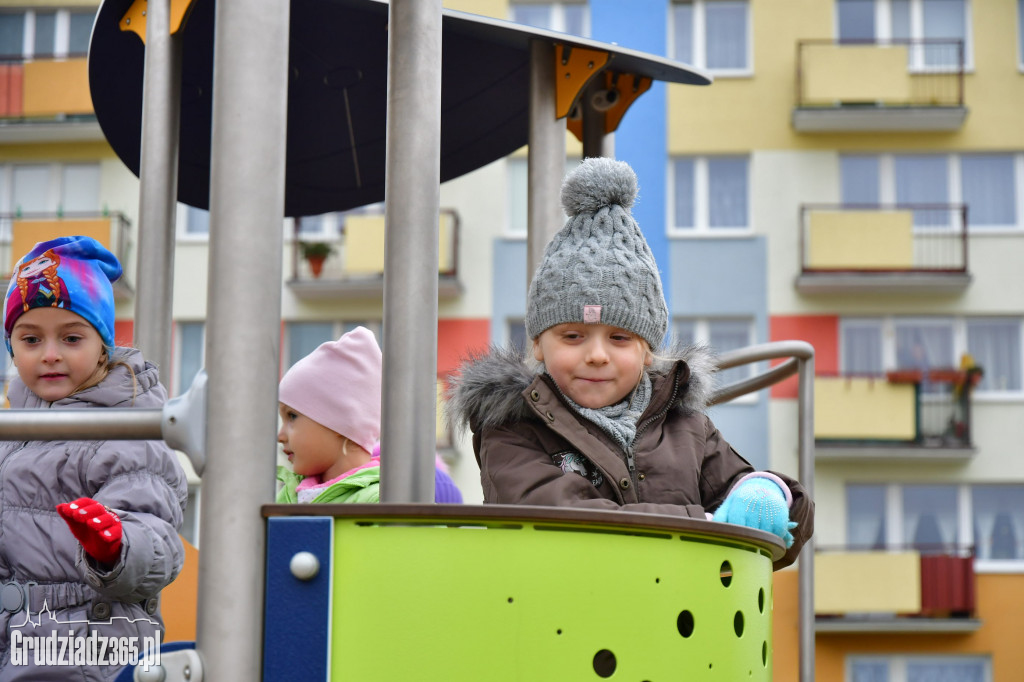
point(47, 33)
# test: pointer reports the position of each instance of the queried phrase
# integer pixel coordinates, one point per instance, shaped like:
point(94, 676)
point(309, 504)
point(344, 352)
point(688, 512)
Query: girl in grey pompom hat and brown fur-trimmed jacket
point(596, 419)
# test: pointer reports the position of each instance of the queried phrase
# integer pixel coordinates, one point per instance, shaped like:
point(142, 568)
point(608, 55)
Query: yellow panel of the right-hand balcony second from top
point(862, 240)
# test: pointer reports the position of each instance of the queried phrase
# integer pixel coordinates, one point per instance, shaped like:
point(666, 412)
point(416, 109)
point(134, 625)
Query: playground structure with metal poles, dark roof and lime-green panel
point(226, 422)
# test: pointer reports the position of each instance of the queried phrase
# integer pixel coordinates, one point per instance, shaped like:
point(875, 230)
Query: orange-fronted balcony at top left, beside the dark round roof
point(47, 100)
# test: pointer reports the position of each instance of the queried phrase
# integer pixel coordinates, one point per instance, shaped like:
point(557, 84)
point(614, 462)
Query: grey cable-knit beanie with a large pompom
point(599, 269)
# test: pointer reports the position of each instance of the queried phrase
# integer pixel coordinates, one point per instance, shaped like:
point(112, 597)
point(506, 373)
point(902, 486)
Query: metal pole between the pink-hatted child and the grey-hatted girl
point(412, 214)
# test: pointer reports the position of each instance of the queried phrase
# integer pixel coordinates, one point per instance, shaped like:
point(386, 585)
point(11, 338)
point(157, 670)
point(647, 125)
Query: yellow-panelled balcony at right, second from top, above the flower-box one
point(888, 249)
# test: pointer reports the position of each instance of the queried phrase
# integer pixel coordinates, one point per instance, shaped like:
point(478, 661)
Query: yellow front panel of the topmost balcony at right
point(856, 74)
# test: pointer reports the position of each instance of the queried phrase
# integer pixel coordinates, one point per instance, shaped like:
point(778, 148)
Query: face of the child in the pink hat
point(313, 449)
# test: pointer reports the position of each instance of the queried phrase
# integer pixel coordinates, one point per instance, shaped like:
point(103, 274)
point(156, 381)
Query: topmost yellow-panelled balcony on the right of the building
point(876, 87)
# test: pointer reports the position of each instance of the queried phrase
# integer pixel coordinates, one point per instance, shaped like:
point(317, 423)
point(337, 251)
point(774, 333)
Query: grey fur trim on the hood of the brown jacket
point(488, 392)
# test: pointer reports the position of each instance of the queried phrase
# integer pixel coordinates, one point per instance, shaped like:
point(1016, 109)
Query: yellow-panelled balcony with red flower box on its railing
point(910, 415)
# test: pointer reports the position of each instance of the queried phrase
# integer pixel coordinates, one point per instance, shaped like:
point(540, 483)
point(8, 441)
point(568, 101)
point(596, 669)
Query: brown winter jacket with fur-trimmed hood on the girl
point(535, 450)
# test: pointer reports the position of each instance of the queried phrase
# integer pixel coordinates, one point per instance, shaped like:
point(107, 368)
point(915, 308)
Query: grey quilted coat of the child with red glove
point(141, 481)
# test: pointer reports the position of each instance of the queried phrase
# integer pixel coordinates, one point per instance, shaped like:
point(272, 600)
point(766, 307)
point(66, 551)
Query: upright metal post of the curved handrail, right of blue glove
point(805, 422)
